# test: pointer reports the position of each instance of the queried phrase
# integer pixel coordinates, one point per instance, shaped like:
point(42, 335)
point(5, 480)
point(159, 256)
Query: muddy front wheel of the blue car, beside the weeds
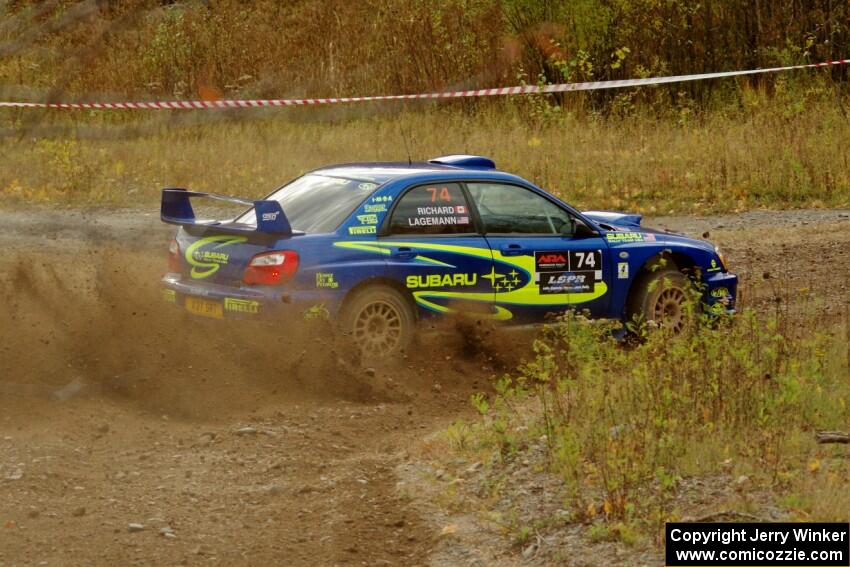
point(660, 297)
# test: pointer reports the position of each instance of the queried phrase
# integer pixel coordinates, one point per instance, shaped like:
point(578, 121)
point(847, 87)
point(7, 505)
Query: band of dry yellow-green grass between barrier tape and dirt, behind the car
point(769, 152)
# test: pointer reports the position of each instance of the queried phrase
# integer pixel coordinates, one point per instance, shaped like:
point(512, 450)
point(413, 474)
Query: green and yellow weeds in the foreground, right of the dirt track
point(627, 426)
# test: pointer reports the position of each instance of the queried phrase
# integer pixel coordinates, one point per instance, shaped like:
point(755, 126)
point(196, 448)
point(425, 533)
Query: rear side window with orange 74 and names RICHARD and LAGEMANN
point(440, 208)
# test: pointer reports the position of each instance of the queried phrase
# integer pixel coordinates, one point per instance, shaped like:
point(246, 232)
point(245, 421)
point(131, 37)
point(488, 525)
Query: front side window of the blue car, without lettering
point(510, 209)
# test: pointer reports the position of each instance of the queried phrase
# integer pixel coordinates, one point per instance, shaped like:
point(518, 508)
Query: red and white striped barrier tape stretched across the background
point(529, 89)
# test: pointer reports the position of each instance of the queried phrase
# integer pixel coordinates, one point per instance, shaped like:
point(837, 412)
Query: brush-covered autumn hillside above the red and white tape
point(336, 48)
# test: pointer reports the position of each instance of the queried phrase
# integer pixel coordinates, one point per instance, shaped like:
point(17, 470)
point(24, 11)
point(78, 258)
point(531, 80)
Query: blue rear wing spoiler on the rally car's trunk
point(177, 209)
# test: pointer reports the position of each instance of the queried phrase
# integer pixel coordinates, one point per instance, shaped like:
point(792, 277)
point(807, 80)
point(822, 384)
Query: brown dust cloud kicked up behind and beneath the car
point(92, 321)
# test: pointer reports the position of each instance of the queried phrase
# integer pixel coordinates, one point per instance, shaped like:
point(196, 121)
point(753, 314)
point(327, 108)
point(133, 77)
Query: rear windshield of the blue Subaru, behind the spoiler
point(317, 203)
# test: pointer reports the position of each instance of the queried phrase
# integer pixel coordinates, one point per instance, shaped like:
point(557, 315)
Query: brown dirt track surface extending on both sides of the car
point(132, 434)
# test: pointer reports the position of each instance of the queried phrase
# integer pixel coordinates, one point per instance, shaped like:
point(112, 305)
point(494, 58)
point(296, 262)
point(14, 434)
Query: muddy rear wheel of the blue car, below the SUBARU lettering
point(380, 320)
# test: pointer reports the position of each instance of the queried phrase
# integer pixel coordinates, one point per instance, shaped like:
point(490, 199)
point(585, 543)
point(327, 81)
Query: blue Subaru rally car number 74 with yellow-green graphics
point(379, 246)
